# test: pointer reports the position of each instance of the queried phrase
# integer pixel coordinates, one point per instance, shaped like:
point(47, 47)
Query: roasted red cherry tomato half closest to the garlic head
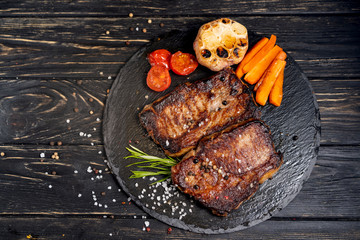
point(183, 63)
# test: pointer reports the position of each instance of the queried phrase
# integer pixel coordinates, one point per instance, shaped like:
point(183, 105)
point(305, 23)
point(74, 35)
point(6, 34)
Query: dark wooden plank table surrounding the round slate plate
point(58, 60)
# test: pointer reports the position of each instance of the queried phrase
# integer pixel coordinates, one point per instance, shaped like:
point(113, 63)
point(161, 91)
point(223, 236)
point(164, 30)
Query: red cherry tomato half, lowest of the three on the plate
point(158, 78)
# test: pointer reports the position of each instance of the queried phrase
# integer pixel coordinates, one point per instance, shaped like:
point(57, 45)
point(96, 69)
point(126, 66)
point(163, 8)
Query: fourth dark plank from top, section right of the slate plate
point(330, 184)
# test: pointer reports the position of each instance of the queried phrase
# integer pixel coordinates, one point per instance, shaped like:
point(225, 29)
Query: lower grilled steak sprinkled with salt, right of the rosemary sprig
point(227, 167)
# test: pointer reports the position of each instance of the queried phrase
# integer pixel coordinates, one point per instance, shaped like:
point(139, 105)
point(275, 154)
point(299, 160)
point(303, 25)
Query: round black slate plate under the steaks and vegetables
point(295, 128)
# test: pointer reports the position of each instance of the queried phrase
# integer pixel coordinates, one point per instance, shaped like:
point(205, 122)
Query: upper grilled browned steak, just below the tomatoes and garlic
point(181, 118)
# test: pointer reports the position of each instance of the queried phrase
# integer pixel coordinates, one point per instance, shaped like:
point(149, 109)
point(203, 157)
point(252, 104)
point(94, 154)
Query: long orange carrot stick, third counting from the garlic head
point(258, 70)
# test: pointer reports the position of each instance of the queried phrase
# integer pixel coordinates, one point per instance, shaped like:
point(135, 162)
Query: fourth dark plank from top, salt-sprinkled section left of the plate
point(79, 182)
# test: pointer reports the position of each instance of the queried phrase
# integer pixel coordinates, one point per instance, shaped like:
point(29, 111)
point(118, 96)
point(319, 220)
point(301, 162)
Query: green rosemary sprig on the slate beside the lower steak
point(161, 165)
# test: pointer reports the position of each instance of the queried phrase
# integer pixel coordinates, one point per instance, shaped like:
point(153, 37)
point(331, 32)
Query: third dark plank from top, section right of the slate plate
point(339, 103)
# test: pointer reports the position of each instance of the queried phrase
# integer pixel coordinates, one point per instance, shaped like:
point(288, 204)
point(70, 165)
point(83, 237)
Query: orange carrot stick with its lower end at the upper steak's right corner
point(263, 92)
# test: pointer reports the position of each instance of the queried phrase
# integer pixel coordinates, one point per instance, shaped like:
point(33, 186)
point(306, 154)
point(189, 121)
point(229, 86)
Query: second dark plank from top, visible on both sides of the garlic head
point(96, 47)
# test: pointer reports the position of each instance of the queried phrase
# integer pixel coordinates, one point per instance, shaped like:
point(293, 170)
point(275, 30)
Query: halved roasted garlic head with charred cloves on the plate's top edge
point(221, 43)
